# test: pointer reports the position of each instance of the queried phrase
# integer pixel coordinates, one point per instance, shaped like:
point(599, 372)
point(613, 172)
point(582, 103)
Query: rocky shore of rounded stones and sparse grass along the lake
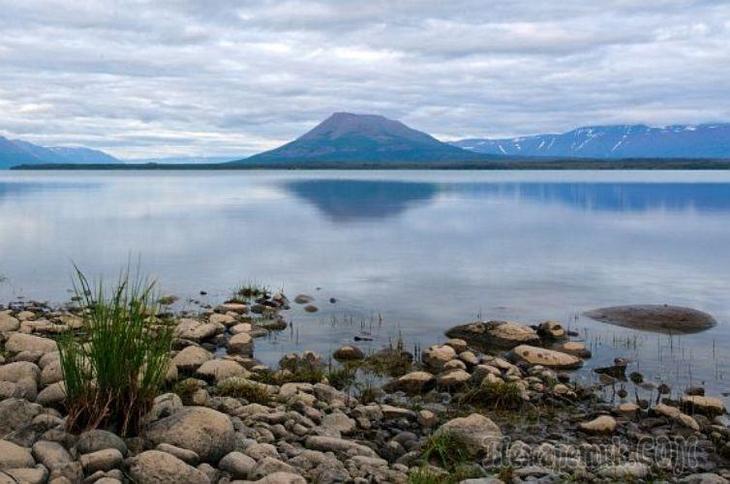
point(495, 402)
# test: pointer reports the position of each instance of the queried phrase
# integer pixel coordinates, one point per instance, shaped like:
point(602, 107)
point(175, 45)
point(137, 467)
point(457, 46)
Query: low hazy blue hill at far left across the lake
point(19, 152)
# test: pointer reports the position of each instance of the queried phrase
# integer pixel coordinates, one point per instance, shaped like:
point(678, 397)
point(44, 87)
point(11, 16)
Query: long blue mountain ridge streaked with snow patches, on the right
point(625, 141)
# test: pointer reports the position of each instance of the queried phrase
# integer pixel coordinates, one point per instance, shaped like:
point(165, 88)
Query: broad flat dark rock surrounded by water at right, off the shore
point(655, 317)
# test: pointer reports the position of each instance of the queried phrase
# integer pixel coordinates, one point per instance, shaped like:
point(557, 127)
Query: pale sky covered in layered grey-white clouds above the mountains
point(212, 77)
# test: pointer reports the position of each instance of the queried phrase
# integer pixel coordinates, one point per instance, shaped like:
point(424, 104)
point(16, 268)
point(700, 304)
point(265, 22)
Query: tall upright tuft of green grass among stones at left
point(115, 370)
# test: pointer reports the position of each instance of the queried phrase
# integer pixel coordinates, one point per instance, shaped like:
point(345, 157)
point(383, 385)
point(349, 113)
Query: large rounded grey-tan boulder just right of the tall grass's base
point(207, 432)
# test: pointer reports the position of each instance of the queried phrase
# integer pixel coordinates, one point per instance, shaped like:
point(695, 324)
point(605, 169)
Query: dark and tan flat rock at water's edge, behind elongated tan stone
point(488, 335)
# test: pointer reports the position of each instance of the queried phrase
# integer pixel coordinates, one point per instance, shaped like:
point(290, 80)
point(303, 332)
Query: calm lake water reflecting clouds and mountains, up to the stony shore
point(404, 253)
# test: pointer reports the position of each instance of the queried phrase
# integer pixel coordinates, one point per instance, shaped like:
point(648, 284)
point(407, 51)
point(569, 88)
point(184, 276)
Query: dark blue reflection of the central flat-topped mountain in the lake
point(352, 200)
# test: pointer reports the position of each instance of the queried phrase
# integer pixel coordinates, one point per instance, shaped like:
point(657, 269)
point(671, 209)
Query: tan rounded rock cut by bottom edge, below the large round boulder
point(155, 467)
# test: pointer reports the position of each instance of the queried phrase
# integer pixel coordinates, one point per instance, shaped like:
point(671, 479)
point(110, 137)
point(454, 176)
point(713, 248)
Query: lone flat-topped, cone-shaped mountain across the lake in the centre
point(346, 137)
